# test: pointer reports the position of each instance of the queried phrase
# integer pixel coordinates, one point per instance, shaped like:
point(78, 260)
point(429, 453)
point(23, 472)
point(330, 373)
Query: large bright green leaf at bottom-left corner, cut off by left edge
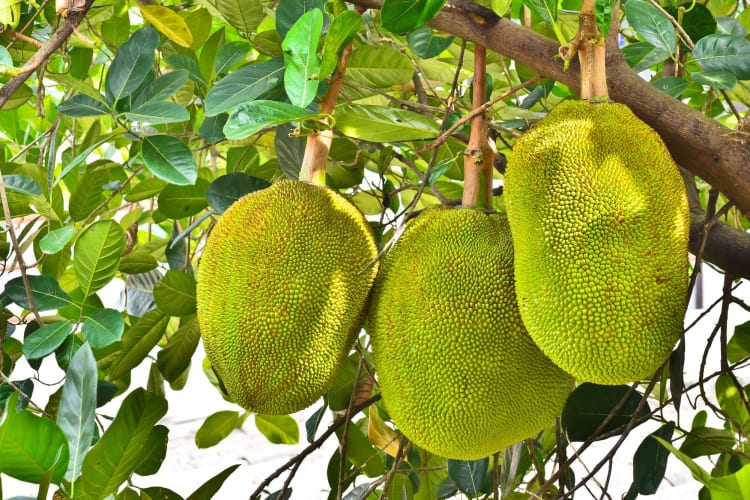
point(31, 448)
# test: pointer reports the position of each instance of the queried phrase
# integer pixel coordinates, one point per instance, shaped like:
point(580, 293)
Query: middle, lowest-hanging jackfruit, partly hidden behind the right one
point(459, 375)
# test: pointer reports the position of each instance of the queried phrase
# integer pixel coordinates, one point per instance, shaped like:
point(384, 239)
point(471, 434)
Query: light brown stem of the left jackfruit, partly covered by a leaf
point(319, 143)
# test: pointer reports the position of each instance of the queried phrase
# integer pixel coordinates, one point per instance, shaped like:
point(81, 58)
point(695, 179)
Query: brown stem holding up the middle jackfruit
point(479, 154)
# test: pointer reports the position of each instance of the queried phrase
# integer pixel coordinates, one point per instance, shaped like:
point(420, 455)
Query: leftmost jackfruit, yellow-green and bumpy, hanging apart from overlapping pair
point(282, 288)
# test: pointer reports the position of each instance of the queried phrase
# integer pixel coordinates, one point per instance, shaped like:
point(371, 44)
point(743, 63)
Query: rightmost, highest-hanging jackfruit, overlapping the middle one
point(600, 223)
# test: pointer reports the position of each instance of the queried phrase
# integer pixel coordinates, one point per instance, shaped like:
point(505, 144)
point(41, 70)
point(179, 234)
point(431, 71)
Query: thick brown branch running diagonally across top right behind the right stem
point(700, 144)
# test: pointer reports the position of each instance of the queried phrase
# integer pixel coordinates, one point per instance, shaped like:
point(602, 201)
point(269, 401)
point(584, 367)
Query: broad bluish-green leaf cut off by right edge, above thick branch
point(727, 53)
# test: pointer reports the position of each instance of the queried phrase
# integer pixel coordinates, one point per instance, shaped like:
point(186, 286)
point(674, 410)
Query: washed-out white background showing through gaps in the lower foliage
point(186, 467)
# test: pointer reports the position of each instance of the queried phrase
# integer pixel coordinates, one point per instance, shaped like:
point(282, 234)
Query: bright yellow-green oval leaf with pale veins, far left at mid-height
point(96, 255)
